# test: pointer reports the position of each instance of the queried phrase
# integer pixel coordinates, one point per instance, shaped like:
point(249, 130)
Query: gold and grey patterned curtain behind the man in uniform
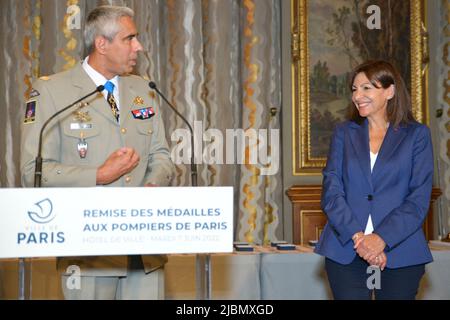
point(218, 61)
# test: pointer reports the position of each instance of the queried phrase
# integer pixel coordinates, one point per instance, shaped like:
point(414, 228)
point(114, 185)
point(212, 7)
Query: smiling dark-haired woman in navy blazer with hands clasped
point(376, 191)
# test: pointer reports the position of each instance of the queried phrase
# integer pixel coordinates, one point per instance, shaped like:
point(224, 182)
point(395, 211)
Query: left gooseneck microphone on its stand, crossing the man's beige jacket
point(25, 268)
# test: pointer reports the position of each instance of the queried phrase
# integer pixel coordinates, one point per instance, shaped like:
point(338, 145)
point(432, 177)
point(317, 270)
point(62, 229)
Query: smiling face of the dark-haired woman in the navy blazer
point(370, 101)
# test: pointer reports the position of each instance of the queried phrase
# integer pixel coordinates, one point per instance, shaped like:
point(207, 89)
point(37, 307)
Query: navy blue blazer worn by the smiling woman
point(396, 193)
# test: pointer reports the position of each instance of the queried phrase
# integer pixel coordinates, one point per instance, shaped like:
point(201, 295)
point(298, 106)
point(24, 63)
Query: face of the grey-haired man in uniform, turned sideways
point(121, 53)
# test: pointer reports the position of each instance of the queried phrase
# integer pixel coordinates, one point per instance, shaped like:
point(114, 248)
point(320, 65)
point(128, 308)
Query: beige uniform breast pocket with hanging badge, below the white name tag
point(79, 140)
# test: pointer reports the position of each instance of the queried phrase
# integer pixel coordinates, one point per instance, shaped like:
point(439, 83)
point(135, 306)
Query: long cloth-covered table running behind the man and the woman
point(263, 274)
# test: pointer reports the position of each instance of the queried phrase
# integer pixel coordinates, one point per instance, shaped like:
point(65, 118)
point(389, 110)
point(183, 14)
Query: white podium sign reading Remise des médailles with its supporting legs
point(57, 222)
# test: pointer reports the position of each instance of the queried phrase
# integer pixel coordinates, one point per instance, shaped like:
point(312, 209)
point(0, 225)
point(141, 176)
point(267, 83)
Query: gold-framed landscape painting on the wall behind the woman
point(330, 38)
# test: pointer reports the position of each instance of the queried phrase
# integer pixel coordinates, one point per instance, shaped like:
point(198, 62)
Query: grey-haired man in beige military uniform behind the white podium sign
point(114, 138)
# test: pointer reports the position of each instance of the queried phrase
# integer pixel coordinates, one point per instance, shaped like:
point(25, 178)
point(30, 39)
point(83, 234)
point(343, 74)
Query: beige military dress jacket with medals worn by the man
point(65, 165)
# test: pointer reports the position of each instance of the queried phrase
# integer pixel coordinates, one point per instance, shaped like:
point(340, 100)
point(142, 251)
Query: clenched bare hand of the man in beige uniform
point(120, 162)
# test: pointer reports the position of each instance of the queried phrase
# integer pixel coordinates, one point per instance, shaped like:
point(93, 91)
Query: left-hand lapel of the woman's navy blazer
point(359, 136)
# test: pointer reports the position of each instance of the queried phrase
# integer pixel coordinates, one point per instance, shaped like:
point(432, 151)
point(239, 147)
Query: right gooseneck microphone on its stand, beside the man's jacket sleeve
point(203, 261)
